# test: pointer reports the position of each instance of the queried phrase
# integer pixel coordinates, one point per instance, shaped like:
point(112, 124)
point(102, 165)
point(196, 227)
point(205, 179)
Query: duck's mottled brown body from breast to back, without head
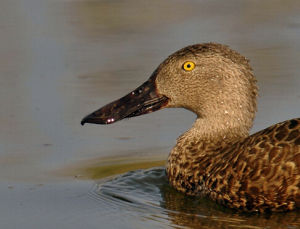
point(256, 173)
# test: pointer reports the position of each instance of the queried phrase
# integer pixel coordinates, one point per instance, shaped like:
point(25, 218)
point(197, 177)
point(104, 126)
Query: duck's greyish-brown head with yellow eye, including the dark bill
point(210, 80)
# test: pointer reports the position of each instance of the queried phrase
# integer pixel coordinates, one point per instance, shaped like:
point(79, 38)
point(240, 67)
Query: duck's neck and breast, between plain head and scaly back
point(191, 158)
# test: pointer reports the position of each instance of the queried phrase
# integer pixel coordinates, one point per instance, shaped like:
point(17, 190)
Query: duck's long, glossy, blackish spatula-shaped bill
point(145, 99)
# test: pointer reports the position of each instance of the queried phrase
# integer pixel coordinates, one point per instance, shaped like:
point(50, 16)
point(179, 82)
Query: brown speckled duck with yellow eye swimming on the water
point(217, 158)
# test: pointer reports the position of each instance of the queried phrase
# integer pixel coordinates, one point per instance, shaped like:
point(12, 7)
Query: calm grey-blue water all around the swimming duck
point(61, 60)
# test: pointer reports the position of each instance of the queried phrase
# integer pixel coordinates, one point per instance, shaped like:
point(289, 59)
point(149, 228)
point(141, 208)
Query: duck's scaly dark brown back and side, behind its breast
point(262, 172)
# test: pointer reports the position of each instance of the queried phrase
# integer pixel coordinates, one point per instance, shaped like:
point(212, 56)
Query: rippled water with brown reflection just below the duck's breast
point(146, 194)
